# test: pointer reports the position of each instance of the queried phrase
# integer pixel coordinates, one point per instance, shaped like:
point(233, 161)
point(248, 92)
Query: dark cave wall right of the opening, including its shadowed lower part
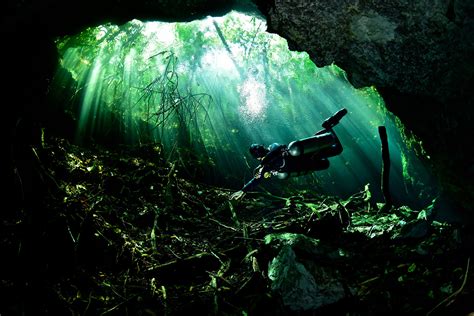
point(419, 55)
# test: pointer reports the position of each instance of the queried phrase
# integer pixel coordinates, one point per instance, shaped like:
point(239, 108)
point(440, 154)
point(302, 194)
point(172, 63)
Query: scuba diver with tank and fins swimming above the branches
point(297, 158)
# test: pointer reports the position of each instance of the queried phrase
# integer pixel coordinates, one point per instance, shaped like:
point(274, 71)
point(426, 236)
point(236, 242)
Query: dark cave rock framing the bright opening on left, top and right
point(419, 55)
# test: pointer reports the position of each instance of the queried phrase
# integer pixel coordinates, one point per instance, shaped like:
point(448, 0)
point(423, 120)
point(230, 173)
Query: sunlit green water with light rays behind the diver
point(208, 89)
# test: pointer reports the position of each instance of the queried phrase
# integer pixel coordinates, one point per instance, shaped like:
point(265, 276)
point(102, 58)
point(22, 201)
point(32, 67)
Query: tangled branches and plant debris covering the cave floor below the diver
point(121, 231)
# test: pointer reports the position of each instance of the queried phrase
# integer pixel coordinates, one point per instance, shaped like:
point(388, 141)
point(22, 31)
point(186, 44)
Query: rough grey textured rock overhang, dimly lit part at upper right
point(419, 48)
